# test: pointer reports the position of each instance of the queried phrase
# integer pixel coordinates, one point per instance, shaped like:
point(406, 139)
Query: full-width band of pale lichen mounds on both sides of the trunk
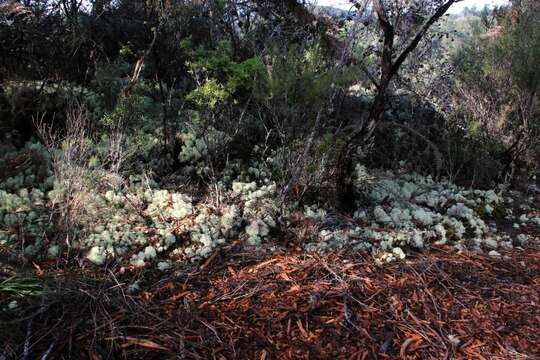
point(135, 221)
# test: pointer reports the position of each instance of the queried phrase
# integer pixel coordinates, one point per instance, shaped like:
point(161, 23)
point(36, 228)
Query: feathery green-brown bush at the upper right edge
point(498, 87)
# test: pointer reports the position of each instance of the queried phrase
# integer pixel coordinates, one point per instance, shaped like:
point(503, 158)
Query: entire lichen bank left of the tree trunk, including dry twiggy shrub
point(74, 209)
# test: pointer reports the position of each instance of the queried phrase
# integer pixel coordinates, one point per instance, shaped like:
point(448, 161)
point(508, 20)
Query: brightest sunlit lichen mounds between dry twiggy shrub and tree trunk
point(206, 228)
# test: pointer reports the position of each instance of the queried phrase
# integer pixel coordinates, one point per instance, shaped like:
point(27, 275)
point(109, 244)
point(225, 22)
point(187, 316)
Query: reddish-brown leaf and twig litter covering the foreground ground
point(440, 305)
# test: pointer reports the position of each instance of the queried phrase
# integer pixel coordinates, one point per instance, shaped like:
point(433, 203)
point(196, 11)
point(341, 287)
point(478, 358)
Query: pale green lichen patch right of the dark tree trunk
point(412, 212)
